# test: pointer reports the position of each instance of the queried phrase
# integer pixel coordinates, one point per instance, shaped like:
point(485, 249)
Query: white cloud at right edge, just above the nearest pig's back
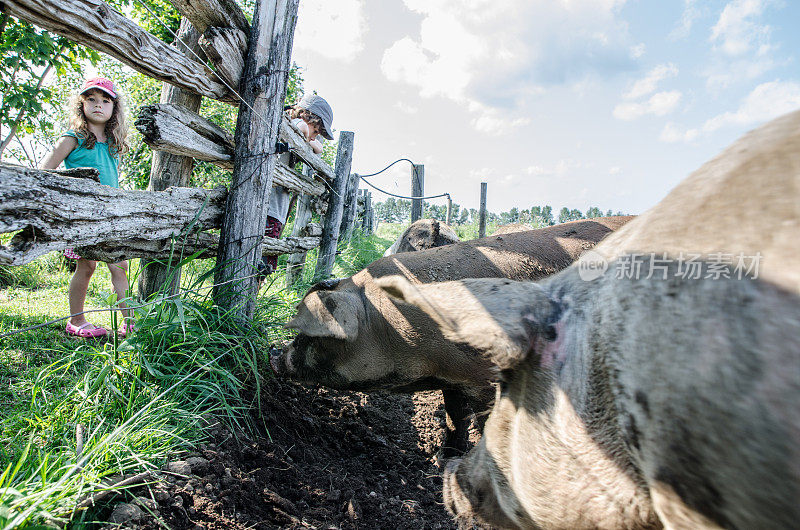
point(766, 101)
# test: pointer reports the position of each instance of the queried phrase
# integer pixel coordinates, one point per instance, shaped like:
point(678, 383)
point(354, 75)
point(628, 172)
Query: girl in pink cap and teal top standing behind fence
point(97, 137)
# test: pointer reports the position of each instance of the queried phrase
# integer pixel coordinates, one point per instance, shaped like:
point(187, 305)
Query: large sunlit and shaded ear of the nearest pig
point(502, 319)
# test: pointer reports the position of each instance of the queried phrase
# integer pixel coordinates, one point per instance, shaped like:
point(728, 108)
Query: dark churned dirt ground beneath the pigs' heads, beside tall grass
point(325, 459)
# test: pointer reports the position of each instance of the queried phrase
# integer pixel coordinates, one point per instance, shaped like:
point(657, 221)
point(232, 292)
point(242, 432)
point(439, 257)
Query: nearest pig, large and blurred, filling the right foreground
point(645, 399)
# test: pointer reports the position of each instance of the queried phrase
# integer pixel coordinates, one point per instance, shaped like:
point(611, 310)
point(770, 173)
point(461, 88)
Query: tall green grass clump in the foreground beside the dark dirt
point(138, 401)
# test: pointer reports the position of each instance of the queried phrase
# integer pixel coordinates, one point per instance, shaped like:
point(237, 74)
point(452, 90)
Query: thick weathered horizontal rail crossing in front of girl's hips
point(54, 212)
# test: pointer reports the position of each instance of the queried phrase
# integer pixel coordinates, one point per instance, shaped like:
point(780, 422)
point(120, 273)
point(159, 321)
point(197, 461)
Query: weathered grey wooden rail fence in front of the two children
point(52, 210)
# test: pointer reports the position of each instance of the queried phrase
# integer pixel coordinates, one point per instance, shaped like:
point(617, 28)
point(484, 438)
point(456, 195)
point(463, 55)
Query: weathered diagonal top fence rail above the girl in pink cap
point(94, 24)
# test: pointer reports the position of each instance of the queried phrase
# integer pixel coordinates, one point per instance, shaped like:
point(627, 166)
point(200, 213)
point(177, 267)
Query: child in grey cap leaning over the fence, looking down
point(313, 117)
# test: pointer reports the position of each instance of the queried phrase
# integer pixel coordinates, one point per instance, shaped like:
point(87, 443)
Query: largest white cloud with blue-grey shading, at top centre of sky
point(497, 54)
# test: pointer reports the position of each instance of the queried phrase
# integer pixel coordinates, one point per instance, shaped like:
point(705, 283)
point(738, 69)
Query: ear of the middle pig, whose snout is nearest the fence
point(327, 314)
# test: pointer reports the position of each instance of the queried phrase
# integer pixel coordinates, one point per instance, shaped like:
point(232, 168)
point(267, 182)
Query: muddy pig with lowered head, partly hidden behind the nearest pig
point(351, 337)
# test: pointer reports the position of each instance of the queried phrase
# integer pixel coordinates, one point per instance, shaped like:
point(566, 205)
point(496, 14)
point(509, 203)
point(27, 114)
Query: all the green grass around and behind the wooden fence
point(140, 401)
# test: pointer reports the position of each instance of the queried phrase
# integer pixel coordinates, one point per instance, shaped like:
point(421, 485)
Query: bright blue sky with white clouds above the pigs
point(575, 103)
